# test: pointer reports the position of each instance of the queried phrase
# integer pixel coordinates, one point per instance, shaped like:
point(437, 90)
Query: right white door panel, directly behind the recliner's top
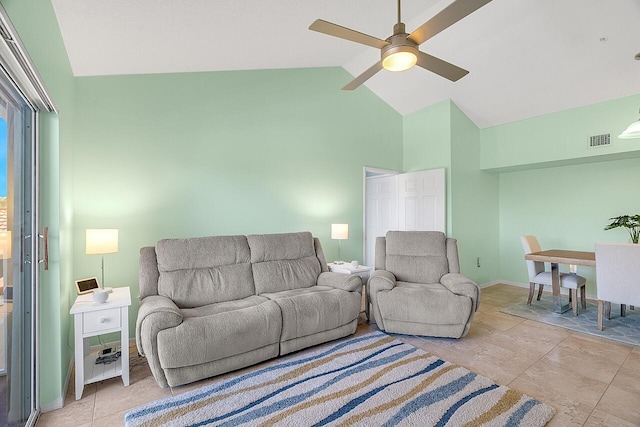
point(422, 200)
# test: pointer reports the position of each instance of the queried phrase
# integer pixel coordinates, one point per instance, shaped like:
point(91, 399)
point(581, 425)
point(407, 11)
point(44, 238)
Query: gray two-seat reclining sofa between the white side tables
point(211, 305)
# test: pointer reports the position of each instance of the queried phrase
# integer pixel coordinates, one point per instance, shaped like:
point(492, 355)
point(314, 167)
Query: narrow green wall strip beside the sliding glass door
point(37, 26)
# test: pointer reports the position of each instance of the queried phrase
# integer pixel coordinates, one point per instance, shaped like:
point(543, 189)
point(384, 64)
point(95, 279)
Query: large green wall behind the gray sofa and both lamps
point(182, 155)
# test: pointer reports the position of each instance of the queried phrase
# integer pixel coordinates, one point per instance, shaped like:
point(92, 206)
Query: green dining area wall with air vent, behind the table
point(553, 186)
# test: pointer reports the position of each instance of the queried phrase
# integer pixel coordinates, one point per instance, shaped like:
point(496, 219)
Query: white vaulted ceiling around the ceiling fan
point(526, 57)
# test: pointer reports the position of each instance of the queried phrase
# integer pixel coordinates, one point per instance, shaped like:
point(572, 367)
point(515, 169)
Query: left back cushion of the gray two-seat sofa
point(204, 270)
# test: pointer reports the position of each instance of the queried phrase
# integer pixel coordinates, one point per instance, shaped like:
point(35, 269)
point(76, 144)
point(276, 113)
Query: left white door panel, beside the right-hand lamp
point(381, 211)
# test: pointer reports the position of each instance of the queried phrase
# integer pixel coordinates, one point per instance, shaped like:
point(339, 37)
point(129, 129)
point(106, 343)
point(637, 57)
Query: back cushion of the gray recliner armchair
point(417, 256)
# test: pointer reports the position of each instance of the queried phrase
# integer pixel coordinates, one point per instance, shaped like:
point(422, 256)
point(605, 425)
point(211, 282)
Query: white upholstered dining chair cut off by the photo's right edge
point(617, 277)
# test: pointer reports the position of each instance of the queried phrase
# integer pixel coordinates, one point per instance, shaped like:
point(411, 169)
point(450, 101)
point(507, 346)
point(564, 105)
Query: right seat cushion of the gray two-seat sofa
point(316, 309)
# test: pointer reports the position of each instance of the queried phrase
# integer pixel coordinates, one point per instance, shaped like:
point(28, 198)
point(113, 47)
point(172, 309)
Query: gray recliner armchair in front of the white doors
point(417, 288)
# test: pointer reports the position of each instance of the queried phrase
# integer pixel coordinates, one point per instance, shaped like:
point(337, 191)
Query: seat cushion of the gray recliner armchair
point(424, 303)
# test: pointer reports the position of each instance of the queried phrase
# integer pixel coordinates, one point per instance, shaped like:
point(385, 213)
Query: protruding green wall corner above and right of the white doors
point(442, 136)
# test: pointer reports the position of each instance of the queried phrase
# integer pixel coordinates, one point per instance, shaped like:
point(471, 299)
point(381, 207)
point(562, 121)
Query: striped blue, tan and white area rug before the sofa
point(369, 380)
